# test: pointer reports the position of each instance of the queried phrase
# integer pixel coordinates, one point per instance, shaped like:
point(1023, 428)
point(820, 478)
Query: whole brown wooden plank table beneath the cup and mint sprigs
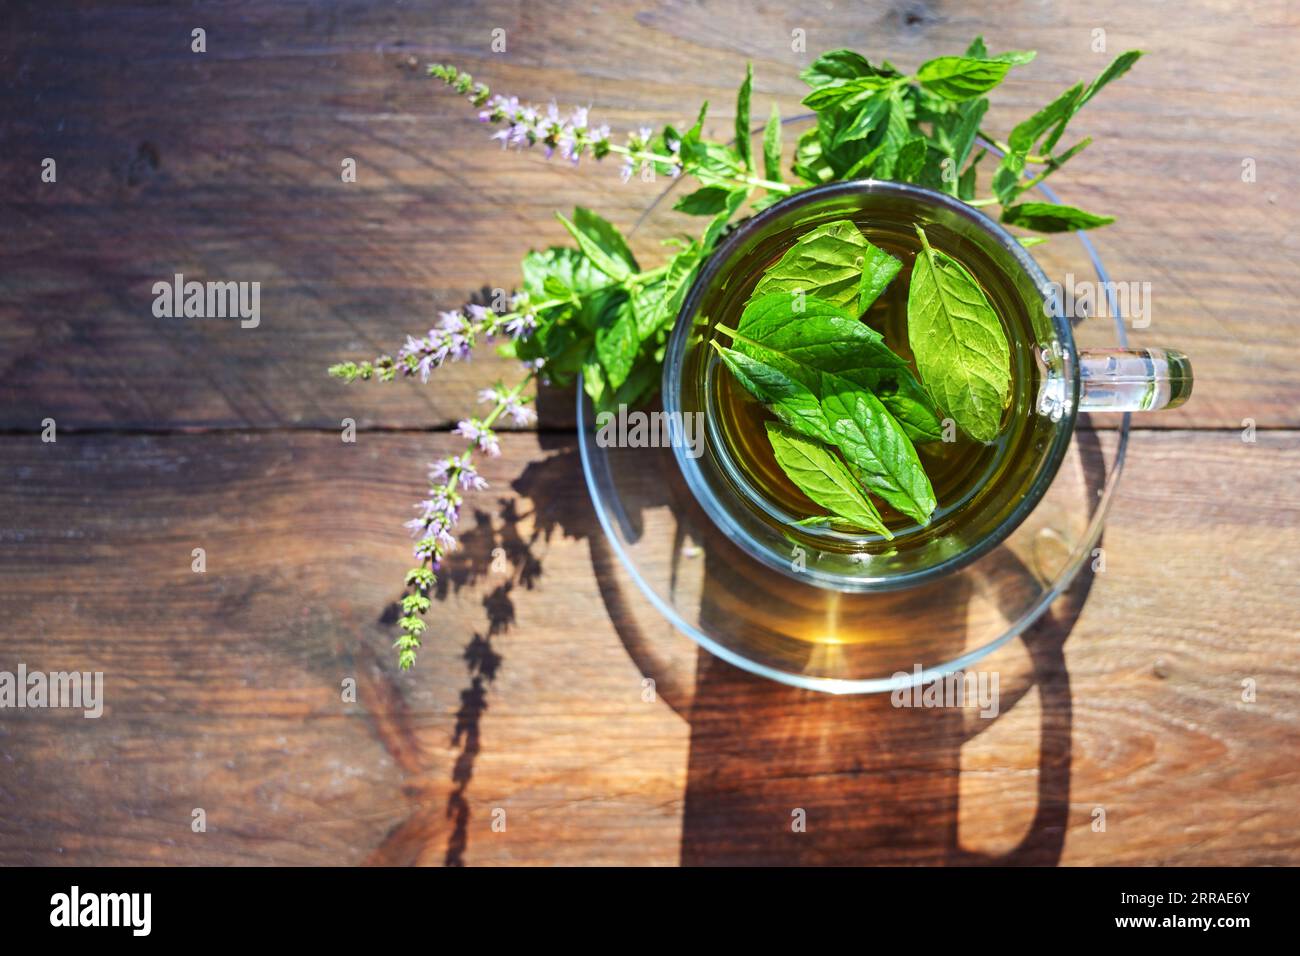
point(224, 690)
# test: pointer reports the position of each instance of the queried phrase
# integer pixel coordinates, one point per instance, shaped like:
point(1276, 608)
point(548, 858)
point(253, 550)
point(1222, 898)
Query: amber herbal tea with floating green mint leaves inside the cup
point(873, 379)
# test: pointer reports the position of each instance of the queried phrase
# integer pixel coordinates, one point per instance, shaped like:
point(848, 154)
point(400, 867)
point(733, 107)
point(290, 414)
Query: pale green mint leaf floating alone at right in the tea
point(959, 343)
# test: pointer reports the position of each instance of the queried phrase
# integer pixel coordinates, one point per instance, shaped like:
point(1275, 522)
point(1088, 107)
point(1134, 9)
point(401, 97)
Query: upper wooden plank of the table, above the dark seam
point(227, 166)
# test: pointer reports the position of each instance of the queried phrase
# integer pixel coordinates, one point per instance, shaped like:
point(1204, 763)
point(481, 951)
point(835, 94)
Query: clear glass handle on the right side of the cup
point(1133, 379)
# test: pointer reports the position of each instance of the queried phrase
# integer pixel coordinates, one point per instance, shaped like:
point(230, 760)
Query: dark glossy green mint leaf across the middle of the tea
point(826, 339)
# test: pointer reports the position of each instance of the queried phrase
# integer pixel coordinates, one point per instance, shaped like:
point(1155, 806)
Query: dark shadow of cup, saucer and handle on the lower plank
point(782, 775)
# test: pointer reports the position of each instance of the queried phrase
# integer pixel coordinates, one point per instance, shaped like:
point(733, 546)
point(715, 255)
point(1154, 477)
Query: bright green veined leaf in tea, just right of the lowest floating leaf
point(879, 453)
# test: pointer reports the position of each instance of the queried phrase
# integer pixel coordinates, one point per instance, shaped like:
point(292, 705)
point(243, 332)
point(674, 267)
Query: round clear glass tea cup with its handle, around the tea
point(1065, 383)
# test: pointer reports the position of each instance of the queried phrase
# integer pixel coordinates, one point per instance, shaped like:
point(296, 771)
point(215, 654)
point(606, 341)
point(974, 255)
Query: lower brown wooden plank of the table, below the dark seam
point(224, 690)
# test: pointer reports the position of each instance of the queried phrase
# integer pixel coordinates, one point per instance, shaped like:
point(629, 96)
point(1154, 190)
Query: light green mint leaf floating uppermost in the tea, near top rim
point(834, 263)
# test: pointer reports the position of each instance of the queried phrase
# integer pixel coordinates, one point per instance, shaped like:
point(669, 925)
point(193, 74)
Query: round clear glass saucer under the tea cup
point(675, 568)
